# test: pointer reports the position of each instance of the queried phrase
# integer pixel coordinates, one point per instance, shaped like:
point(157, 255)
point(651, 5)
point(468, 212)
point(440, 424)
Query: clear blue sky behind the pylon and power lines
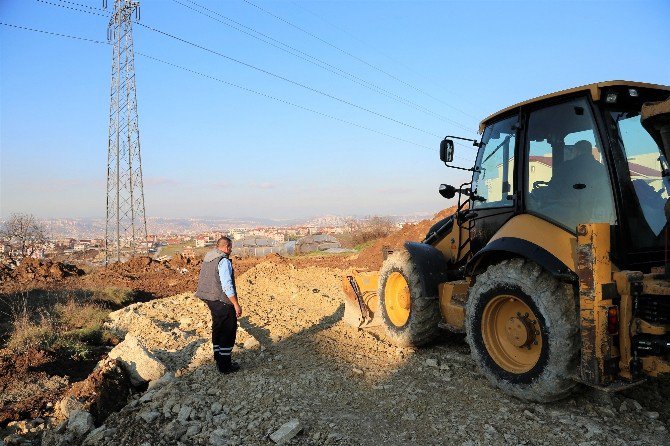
point(213, 150)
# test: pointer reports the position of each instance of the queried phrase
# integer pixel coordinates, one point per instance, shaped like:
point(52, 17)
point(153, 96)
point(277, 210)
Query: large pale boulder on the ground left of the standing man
point(140, 363)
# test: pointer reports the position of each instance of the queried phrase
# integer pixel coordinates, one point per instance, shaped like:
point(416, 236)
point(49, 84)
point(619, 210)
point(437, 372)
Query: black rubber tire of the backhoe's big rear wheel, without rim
point(555, 306)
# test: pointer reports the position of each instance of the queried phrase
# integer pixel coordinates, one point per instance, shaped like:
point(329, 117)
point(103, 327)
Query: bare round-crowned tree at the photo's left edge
point(24, 234)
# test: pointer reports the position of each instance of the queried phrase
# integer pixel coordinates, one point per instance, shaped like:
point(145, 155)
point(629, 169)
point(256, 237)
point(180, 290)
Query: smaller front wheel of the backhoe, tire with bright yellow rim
point(410, 318)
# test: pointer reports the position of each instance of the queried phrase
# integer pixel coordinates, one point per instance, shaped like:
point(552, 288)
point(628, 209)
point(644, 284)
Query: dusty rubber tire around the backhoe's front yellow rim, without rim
point(421, 326)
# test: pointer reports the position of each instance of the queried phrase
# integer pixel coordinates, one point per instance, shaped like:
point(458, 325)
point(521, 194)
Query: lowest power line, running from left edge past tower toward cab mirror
point(236, 86)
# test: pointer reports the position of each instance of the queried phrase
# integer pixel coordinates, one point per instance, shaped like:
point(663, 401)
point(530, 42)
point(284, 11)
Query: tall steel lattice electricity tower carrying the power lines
point(126, 226)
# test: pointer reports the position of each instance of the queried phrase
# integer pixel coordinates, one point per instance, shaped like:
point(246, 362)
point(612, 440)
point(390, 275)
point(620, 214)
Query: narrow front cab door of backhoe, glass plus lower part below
point(495, 181)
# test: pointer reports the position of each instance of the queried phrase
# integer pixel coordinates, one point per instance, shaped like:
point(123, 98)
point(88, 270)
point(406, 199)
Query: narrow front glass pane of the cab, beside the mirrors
point(494, 180)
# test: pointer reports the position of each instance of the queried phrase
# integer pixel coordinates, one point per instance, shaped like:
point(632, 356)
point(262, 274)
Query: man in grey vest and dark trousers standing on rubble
point(216, 287)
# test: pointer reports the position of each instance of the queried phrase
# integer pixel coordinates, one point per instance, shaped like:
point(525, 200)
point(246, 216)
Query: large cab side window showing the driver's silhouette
point(568, 180)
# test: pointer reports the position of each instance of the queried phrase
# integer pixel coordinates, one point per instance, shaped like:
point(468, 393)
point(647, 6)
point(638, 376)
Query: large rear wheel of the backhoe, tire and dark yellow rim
point(523, 329)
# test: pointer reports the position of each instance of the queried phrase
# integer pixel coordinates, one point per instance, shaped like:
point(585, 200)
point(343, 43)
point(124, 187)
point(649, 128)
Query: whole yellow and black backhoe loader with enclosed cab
point(555, 264)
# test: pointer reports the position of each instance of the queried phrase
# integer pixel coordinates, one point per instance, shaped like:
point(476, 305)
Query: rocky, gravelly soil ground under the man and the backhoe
point(335, 385)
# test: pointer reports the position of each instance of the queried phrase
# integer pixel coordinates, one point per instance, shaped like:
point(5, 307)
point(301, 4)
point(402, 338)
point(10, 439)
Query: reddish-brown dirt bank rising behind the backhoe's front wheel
point(371, 258)
